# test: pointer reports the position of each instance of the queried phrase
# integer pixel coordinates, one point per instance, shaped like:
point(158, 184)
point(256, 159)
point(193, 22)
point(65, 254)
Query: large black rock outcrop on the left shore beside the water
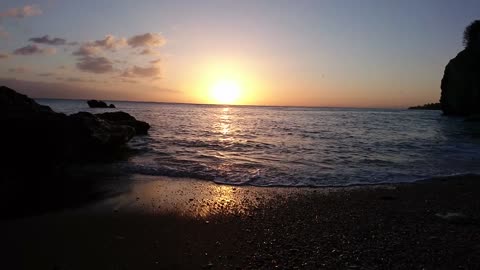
point(35, 139)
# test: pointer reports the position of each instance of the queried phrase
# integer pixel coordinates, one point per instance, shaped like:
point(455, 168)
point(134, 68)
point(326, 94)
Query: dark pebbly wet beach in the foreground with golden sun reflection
point(160, 223)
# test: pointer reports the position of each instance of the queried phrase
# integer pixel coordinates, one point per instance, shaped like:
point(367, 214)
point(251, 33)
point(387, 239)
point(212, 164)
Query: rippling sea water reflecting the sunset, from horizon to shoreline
point(287, 146)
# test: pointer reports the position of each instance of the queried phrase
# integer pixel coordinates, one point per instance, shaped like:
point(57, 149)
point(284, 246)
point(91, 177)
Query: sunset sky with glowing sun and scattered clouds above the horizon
point(370, 53)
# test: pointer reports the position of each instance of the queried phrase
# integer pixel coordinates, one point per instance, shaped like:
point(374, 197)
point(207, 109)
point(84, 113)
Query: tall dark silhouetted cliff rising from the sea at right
point(461, 80)
